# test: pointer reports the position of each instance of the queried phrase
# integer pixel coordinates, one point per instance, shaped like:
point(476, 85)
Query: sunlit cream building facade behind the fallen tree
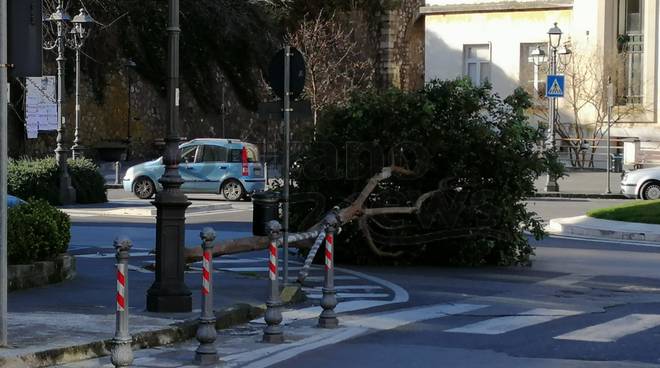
point(492, 40)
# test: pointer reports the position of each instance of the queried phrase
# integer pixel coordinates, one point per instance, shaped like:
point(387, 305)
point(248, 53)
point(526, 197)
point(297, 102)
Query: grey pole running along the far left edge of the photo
point(3, 172)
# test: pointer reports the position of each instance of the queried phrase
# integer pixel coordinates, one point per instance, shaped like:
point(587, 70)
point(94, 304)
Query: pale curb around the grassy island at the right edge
point(601, 229)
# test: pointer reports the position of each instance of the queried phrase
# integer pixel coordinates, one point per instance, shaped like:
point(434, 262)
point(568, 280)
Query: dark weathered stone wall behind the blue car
point(106, 122)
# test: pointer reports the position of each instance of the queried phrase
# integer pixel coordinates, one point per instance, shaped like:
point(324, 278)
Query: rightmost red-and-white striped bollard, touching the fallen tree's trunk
point(328, 317)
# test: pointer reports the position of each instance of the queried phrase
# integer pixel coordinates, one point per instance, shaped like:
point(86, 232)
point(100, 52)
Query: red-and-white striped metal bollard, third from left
point(273, 331)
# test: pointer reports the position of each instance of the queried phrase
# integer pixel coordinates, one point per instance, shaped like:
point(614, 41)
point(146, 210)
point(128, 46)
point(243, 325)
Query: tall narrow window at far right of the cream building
point(630, 45)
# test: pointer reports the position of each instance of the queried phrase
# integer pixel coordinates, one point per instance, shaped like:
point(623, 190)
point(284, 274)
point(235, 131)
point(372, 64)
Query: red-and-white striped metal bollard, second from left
point(206, 354)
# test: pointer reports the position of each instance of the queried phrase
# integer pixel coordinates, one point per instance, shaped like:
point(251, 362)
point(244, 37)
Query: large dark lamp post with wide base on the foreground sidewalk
point(169, 292)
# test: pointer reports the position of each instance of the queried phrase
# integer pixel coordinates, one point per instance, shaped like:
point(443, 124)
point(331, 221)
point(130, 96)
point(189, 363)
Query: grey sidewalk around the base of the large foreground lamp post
point(75, 319)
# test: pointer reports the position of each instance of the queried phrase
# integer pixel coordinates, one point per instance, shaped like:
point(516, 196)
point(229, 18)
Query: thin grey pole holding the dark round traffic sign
point(287, 136)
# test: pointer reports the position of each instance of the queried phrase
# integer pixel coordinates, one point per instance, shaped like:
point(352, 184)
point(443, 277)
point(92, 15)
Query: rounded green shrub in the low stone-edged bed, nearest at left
point(37, 231)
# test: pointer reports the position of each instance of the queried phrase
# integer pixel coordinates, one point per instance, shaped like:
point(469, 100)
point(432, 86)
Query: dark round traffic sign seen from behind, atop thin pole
point(297, 69)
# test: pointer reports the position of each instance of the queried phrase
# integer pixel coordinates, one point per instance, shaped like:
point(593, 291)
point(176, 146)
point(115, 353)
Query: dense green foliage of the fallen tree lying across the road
point(473, 155)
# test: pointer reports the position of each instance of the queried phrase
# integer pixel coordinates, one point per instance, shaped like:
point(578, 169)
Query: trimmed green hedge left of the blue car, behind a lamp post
point(39, 179)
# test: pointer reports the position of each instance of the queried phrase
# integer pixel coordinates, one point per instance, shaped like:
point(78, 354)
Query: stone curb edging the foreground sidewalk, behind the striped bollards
point(177, 332)
